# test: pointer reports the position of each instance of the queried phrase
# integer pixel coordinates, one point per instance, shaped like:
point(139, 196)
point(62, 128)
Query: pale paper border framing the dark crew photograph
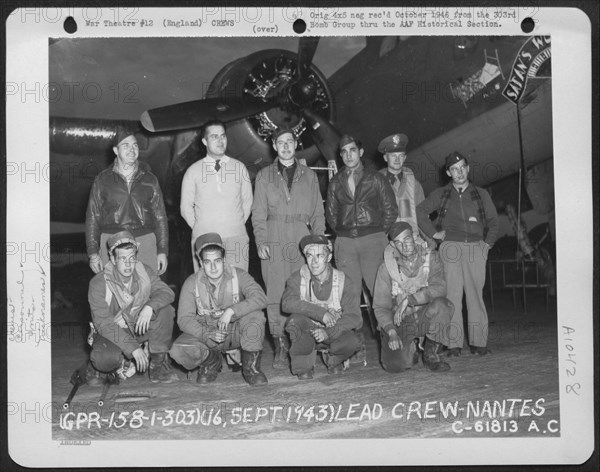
point(28, 33)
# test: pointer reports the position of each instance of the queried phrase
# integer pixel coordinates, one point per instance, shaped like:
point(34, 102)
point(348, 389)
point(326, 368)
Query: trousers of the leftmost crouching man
point(106, 356)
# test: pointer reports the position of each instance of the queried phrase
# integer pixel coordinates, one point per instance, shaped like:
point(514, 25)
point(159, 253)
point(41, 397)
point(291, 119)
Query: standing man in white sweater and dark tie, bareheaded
point(216, 196)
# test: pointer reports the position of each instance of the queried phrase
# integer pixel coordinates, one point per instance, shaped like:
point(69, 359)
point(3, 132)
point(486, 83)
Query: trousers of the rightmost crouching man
point(431, 320)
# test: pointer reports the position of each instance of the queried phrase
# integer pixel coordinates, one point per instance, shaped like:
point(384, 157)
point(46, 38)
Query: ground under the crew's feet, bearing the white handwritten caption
point(512, 393)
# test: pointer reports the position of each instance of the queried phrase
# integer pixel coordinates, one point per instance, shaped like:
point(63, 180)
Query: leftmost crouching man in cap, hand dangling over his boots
point(130, 305)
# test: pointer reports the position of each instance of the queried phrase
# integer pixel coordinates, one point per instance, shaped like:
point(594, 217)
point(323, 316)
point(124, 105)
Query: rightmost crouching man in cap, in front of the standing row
point(409, 302)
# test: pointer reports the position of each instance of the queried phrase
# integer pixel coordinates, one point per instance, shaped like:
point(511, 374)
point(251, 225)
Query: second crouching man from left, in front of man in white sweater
point(220, 310)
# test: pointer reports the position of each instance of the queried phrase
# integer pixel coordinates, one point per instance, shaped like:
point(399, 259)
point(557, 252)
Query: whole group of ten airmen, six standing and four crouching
point(415, 268)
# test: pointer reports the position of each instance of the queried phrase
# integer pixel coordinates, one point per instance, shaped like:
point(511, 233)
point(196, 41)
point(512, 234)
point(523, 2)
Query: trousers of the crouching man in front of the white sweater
point(247, 333)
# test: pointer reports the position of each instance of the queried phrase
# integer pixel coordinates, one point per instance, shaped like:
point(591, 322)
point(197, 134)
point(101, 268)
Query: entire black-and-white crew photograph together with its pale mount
point(302, 233)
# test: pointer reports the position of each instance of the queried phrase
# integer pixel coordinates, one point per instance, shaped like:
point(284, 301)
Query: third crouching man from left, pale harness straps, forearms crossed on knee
point(324, 309)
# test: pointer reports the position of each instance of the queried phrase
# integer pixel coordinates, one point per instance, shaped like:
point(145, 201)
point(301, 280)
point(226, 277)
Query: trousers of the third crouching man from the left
point(341, 343)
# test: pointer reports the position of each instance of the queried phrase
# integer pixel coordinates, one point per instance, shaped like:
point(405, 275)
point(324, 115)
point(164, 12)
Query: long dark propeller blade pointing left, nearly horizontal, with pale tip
point(195, 113)
